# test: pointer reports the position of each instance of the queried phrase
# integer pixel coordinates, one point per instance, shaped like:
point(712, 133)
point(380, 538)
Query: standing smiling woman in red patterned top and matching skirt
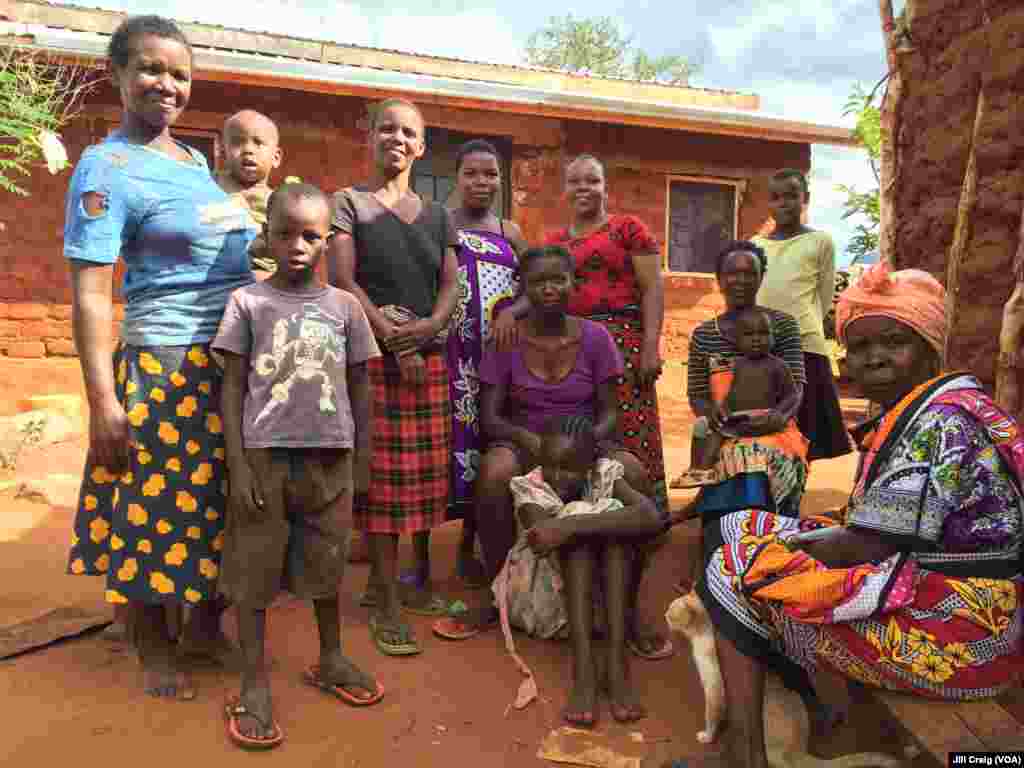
point(619, 285)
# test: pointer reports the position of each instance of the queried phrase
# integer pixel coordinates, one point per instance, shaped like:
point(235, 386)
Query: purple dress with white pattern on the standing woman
point(489, 281)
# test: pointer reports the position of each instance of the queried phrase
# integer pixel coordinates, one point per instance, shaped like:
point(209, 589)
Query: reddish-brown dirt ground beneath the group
point(79, 702)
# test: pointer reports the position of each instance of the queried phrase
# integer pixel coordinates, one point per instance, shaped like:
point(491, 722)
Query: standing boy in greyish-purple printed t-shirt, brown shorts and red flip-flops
point(296, 414)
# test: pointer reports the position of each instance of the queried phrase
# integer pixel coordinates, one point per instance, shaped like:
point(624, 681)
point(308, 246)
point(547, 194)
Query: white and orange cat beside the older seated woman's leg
point(787, 741)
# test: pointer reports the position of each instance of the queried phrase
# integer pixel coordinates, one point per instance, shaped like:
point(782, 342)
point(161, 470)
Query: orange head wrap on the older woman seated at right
point(912, 296)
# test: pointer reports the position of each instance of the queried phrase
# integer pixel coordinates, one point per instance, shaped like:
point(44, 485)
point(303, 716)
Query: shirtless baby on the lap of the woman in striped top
point(761, 382)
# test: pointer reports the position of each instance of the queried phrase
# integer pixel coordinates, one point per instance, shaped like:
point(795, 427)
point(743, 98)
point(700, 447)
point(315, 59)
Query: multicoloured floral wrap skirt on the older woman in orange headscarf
point(894, 625)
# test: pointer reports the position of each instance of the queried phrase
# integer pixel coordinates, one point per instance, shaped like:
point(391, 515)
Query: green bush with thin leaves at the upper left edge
point(38, 97)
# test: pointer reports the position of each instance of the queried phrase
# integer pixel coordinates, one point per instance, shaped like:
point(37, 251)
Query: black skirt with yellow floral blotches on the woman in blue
point(156, 532)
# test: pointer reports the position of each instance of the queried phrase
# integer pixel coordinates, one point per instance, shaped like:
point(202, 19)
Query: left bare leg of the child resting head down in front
point(578, 569)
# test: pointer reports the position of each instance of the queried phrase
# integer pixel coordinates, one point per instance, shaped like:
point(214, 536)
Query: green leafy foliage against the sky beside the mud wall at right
point(865, 204)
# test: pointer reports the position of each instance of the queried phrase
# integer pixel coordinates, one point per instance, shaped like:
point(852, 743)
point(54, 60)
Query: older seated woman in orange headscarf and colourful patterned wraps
point(919, 589)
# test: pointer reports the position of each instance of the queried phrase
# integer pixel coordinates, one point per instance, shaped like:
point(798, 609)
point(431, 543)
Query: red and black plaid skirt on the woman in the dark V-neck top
point(412, 453)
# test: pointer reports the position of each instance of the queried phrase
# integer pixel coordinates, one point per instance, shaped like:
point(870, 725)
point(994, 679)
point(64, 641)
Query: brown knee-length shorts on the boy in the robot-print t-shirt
point(302, 543)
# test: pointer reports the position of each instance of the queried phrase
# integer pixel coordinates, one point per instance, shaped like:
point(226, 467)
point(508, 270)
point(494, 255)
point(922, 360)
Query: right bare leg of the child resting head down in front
point(618, 577)
